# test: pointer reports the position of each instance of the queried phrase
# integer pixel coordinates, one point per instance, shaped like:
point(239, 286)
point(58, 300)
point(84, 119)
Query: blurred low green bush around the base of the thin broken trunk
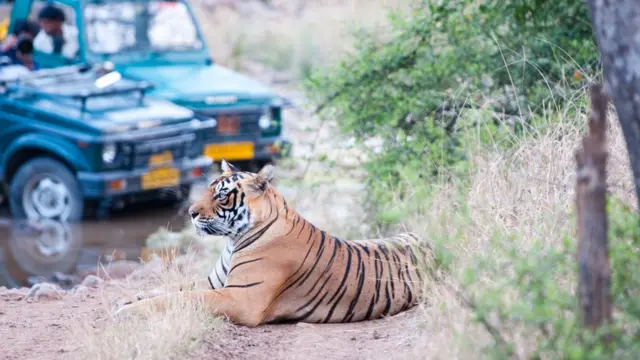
point(539, 297)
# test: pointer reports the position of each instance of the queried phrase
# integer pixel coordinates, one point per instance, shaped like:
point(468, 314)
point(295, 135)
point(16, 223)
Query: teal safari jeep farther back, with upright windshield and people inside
point(160, 42)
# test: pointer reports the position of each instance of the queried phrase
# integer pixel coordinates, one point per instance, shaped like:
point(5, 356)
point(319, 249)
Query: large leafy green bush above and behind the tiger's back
point(450, 66)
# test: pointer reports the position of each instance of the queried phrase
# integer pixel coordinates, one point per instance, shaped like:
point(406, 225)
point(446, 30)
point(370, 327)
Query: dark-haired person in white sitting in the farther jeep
point(56, 37)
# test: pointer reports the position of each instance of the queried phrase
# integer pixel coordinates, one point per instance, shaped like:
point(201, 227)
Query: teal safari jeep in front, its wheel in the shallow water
point(78, 135)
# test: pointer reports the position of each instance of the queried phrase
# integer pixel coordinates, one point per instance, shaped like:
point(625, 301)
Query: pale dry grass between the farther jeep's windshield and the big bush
point(291, 36)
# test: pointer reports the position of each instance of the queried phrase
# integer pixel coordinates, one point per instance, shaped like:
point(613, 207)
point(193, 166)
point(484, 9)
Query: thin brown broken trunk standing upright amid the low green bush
point(594, 284)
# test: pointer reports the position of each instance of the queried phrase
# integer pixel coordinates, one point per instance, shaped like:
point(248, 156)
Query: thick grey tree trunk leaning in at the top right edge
point(616, 26)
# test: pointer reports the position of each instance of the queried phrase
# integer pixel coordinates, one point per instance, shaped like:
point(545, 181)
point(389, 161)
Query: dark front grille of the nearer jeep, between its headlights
point(177, 145)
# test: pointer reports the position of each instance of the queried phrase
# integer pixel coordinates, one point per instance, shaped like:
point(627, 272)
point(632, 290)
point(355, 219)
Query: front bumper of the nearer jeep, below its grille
point(98, 185)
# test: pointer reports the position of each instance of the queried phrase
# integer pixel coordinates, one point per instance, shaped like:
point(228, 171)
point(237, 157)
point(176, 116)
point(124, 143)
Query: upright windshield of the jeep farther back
point(142, 26)
